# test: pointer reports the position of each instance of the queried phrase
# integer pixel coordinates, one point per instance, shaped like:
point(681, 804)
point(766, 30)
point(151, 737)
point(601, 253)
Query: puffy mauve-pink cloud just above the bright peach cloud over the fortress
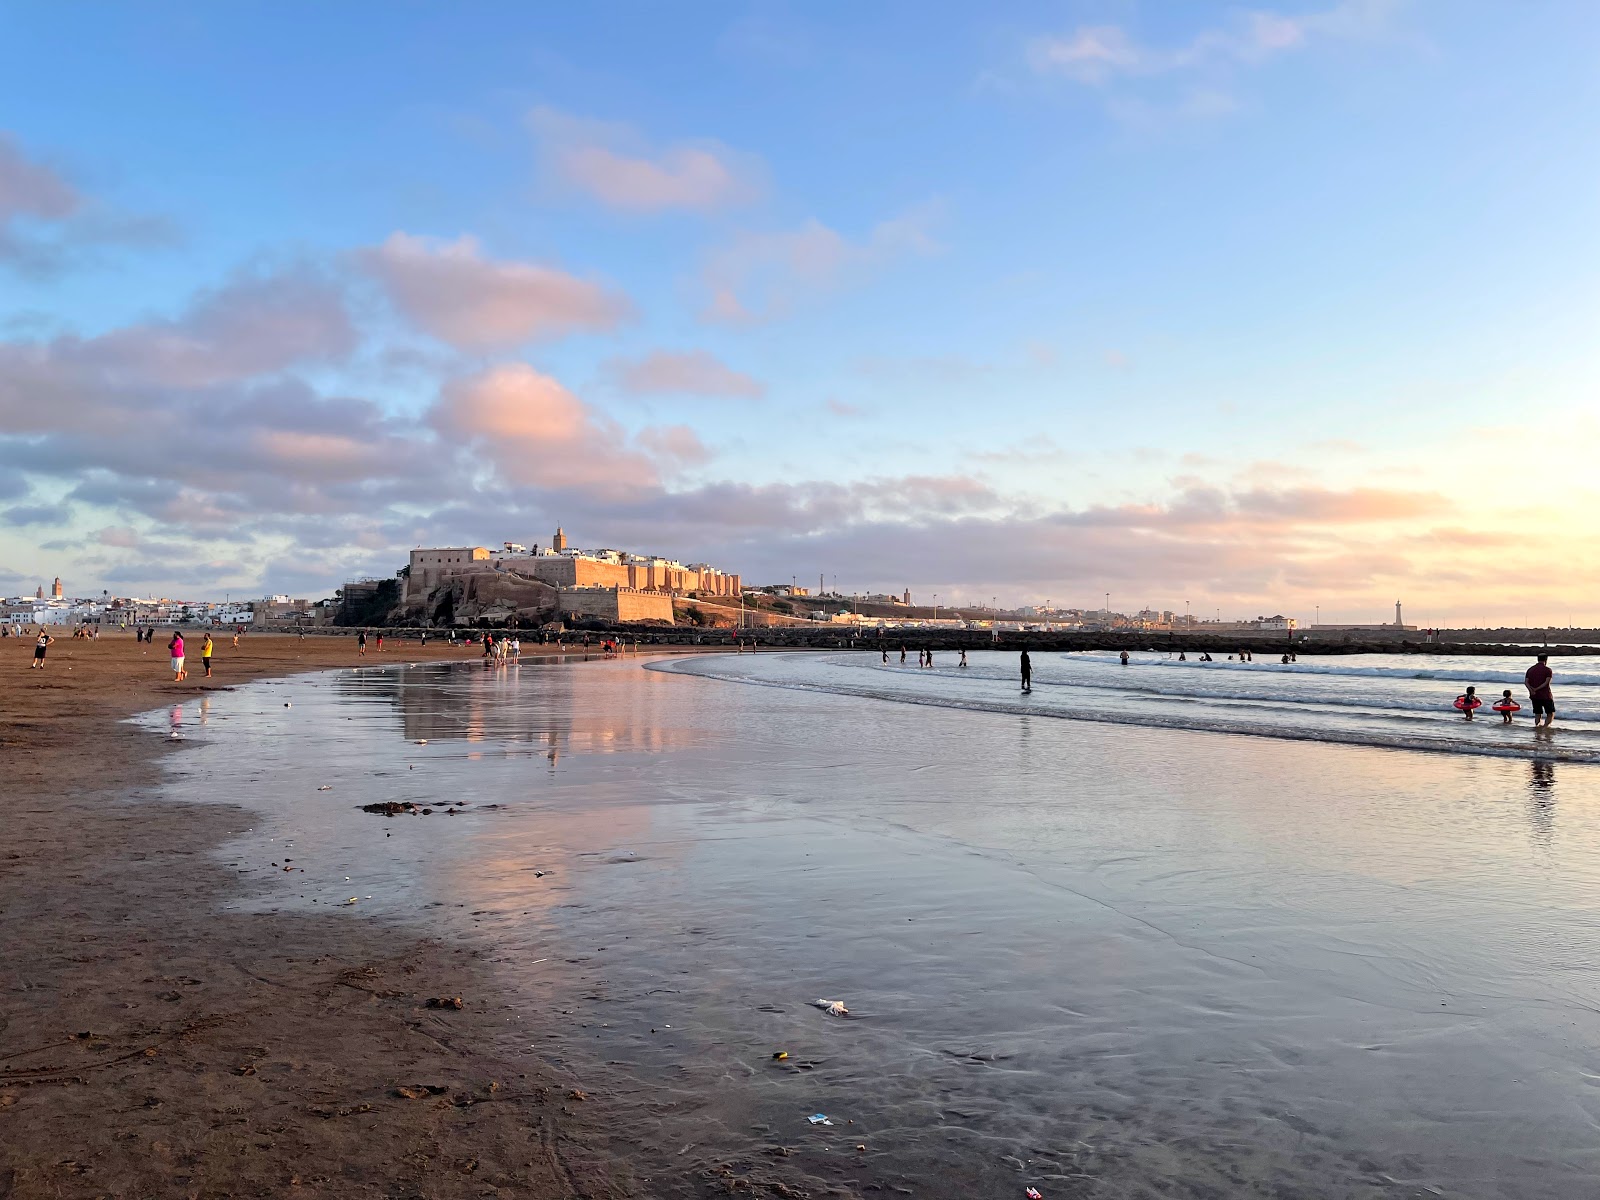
point(452, 292)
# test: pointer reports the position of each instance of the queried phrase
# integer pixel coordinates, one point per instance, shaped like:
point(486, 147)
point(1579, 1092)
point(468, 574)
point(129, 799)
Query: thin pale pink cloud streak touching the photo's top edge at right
point(1097, 55)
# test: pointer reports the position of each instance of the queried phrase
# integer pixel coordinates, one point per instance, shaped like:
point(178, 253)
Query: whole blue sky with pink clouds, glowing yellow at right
point(1238, 311)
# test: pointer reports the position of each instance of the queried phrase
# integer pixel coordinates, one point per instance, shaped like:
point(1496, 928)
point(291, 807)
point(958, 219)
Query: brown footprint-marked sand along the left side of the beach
point(153, 1046)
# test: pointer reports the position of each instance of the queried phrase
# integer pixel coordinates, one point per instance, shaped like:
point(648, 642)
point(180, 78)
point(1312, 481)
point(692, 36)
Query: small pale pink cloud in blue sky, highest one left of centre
point(609, 162)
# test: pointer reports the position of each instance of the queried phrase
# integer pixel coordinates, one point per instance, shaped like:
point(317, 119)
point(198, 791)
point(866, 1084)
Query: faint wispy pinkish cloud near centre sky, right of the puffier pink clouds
point(758, 276)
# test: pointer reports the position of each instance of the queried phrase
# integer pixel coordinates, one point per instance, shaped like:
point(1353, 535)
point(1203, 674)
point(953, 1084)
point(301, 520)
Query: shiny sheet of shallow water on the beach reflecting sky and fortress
point(1118, 951)
